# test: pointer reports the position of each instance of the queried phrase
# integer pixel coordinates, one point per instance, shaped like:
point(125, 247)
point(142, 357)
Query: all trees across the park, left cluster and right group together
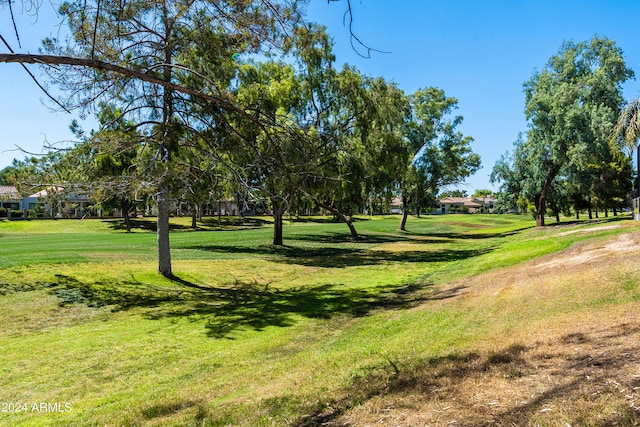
point(200, 99)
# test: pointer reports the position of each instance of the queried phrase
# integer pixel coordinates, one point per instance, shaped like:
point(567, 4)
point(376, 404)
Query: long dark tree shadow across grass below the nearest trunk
point(241, 305)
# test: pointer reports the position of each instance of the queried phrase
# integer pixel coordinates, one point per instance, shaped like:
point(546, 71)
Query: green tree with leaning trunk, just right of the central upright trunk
point(370, 152)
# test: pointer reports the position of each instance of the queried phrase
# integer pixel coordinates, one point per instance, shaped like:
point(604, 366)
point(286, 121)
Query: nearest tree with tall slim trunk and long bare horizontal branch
point(132, 54)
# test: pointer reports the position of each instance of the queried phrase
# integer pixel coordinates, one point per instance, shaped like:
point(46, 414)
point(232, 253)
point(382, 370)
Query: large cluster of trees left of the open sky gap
point(205, 97)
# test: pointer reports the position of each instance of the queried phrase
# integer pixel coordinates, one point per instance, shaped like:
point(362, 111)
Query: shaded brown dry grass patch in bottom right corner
point(590, 376)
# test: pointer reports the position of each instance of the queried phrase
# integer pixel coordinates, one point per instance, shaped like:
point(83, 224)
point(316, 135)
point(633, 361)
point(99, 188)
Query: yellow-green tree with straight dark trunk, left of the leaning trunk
point(271, 162)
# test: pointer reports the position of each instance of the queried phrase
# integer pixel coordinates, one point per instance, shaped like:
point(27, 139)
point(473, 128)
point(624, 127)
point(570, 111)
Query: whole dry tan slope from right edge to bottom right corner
point(563, 349)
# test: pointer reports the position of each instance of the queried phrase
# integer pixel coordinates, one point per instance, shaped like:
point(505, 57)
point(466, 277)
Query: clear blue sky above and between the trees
point(480, 52)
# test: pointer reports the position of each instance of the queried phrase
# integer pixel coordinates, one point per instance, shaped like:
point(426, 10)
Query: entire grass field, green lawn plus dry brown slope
point(463, 320)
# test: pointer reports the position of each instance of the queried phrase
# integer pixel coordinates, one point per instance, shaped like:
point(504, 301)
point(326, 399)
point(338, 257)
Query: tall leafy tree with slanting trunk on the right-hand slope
point(571, 105)
